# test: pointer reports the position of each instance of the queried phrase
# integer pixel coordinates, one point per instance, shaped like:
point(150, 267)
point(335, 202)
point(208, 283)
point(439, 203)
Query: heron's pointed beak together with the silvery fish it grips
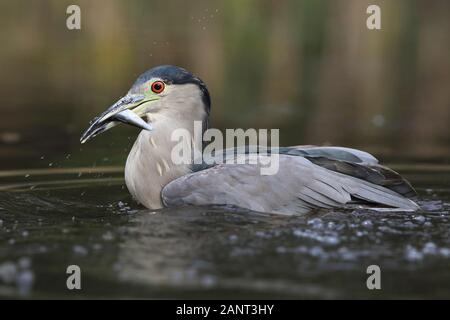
point(126, 110)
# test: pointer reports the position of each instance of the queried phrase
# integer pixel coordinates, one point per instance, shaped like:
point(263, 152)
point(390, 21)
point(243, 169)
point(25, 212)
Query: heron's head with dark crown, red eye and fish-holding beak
point(168, 91)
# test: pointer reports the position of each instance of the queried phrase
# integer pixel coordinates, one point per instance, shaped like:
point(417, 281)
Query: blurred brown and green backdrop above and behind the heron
point(308, 67)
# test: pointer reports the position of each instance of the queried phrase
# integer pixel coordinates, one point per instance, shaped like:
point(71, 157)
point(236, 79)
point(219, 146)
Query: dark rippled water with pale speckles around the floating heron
point(50, 219)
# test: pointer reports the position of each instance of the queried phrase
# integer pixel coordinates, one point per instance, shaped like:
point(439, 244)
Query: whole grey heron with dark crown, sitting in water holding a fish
point(167, 97)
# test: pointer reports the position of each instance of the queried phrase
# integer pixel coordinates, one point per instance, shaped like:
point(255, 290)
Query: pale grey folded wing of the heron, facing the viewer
point(297, 187)
